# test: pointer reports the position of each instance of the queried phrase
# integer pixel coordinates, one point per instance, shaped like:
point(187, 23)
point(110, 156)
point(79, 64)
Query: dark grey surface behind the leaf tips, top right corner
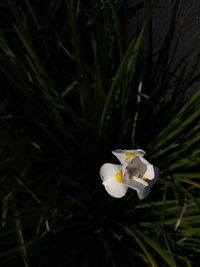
point(188, 27)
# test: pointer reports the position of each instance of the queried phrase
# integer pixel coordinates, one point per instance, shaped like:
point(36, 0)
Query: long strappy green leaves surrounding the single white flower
point(69, 95)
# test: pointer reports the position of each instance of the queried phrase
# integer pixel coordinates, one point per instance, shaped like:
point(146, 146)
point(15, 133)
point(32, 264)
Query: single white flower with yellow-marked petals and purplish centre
point(134, 172)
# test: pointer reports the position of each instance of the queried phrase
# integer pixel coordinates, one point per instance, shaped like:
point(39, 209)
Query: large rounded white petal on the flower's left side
point(112, 186)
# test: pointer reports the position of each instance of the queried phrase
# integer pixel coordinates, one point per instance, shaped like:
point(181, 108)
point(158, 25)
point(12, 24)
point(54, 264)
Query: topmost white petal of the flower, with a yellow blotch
point(123, 155)
